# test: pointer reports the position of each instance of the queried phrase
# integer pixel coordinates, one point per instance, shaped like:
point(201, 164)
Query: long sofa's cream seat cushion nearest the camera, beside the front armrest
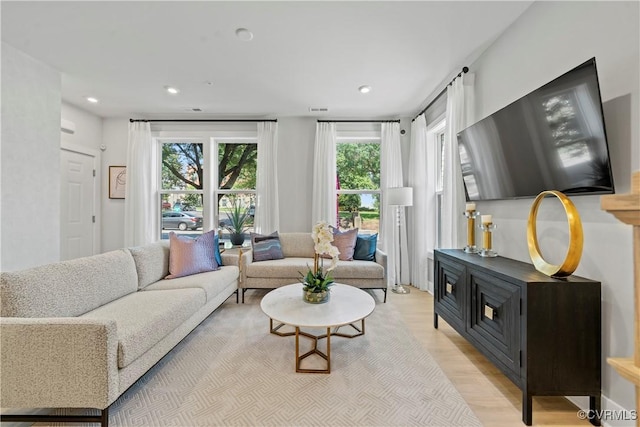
point(144, 318)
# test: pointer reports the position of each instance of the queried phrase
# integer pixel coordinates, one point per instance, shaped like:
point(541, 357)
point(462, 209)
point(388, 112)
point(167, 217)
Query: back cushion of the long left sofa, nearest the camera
point(68, 288)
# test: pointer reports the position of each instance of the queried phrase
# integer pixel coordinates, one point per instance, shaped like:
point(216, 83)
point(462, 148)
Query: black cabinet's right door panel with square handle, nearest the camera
point(494, 321)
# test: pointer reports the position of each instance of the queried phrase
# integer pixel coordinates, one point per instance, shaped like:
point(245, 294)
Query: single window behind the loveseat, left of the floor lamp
point(358, 184)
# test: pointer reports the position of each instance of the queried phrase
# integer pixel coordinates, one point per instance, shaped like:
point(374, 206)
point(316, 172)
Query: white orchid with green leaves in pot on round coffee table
point(317, 282)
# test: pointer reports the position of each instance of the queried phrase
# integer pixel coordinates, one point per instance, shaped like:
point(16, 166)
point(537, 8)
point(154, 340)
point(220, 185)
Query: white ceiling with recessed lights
point(303, 53)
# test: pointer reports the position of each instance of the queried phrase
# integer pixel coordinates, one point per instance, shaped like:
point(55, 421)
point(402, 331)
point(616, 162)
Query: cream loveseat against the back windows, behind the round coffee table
point(298, 252)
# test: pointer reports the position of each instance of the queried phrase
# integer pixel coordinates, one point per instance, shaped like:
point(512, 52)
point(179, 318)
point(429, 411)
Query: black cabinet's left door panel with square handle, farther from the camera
point(450, 291)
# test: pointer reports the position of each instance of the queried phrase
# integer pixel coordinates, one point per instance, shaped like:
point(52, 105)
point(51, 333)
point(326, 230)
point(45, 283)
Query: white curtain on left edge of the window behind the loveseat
point(323, 207)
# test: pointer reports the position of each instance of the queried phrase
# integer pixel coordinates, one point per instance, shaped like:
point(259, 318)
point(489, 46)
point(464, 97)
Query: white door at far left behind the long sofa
point(77, 204)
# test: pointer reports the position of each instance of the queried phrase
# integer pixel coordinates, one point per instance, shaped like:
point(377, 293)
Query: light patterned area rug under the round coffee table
point(230, 371)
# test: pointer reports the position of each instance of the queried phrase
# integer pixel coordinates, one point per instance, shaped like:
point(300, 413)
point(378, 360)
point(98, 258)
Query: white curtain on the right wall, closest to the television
point(458, 116)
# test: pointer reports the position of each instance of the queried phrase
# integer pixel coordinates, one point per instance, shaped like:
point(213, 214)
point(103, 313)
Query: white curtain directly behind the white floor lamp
point(391, 176)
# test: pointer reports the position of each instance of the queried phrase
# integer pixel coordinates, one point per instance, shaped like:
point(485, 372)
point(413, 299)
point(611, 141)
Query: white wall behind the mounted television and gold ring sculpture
point(549, 39)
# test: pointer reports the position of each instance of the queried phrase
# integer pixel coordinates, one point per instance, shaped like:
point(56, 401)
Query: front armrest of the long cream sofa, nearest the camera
point(58, 362)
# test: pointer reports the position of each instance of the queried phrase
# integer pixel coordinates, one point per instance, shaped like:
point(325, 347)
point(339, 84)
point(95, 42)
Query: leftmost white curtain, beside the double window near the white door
point(141, 204)
